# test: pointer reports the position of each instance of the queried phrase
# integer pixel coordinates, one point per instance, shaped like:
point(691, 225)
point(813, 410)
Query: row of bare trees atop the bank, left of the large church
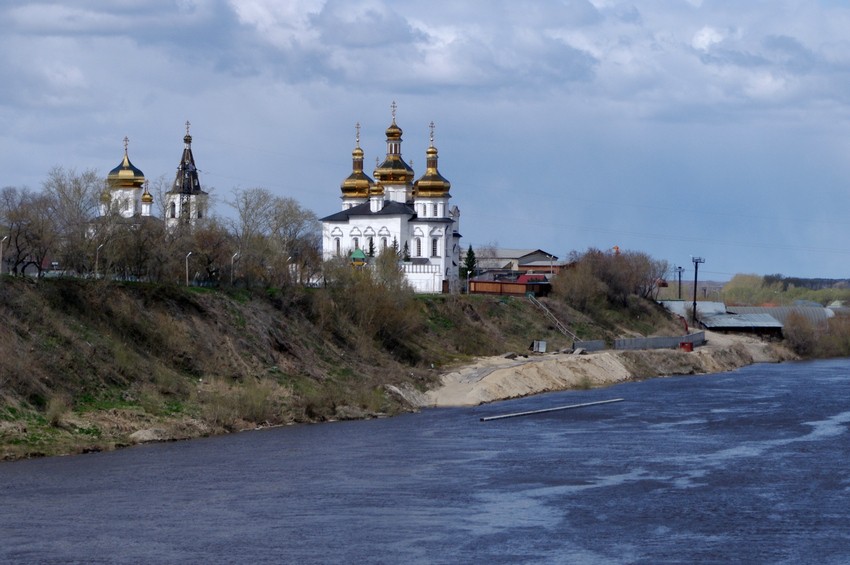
point(269, 240)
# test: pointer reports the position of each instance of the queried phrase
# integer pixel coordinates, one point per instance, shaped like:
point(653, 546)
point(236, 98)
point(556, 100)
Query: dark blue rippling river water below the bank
point(742, 467)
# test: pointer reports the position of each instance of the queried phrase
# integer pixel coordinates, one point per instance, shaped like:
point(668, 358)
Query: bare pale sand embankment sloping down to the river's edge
point(499, 378)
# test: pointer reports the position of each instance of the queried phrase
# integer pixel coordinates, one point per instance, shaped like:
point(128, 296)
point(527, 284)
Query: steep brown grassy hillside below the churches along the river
point(89, 365)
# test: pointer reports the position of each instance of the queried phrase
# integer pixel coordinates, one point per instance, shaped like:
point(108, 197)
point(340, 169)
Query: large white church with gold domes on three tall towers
point(394, 211)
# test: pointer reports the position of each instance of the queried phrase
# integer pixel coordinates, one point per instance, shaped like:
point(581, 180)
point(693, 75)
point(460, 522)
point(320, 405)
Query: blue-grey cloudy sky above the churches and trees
point(679, 128)
